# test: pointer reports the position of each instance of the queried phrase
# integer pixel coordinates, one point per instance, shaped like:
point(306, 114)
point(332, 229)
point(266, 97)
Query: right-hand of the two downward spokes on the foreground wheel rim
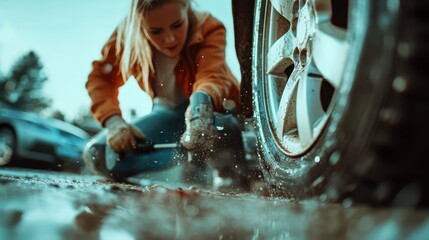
point(308, 108)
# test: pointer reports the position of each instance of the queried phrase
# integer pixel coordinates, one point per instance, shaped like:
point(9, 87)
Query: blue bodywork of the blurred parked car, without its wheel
point(47, 140)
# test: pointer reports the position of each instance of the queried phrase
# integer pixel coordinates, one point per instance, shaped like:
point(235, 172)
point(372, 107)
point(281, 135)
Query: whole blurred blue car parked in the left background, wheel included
point(28, 140)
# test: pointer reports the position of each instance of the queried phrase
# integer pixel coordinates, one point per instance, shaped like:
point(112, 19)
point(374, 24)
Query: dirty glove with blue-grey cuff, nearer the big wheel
point(201, 135)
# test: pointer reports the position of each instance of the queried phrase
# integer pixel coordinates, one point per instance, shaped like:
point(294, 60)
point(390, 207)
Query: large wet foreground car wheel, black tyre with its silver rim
point(339, 100)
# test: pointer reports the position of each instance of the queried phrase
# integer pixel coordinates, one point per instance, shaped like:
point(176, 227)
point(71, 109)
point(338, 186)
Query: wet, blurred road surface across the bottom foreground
point(44, 205)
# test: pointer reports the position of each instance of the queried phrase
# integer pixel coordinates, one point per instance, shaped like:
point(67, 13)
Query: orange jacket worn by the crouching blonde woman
point(201, 67)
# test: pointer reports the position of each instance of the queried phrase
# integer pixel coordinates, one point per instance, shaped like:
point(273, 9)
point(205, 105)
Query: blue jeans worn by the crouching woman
point(162, 125)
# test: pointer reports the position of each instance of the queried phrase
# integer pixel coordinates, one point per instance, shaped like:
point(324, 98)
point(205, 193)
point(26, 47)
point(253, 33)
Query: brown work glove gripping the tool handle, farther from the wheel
point(121, 136)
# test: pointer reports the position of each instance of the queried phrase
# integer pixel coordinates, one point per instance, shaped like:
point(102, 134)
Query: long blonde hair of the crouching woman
point(132, 44)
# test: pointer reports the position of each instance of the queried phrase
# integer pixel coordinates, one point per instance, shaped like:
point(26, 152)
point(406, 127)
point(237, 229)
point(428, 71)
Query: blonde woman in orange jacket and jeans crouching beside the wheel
point(175, 54)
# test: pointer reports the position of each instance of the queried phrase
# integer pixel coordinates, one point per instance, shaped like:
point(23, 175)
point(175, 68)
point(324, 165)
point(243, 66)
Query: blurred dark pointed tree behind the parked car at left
point(21, 88)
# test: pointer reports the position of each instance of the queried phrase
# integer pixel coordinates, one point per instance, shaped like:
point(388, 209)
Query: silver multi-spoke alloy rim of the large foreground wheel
point(304, 59)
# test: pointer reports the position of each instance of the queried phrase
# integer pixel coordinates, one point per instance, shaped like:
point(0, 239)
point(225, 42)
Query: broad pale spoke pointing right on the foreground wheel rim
point(330, 49)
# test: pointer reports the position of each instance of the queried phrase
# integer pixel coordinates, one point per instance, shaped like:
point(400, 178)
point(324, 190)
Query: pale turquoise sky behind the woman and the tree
point(69, 34)
